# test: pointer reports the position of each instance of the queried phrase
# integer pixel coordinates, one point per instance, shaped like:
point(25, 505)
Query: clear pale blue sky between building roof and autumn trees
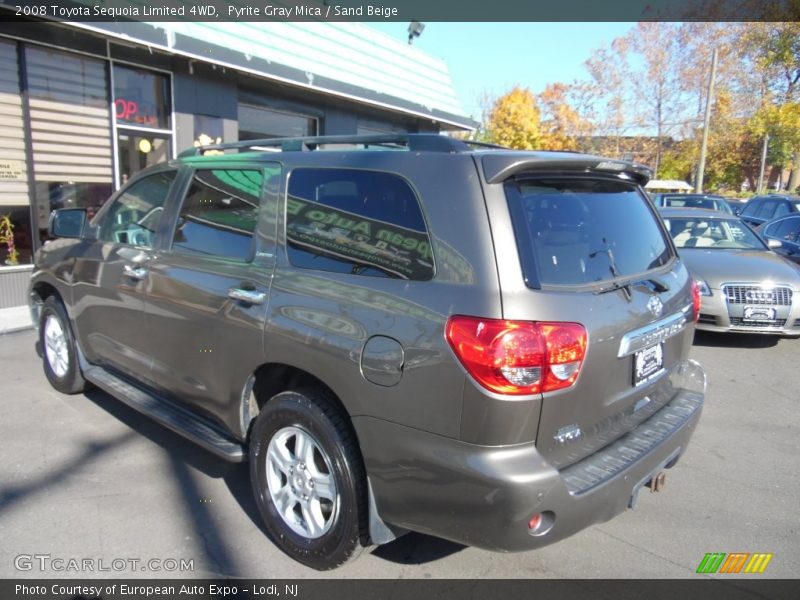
point(493, 57)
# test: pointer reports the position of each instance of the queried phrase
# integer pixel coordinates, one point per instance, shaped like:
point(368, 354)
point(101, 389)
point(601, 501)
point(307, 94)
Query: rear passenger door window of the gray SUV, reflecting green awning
point(219, 214)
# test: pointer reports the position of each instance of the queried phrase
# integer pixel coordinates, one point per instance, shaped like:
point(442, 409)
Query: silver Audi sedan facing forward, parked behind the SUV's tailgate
point(744, 285)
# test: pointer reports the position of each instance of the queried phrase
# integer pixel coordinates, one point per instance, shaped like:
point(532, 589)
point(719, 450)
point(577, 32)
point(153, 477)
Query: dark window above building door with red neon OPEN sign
point(141, 98)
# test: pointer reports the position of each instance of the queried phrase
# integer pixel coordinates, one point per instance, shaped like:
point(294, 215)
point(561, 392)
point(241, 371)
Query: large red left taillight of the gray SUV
point(518, 357)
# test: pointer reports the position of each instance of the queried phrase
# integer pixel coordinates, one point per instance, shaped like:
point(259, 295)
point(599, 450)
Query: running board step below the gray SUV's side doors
point(175, 417)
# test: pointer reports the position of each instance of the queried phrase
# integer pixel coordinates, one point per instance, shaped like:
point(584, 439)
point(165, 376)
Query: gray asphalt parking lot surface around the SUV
point(84, 477)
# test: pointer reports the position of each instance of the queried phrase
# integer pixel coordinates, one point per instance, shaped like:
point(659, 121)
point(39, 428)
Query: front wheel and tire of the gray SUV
point(59, 353)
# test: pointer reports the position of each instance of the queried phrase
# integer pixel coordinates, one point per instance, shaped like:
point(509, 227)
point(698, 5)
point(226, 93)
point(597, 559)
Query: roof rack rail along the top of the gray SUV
point(430, 142)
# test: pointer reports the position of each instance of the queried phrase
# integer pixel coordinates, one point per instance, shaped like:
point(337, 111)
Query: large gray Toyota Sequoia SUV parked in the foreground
point(398, 332)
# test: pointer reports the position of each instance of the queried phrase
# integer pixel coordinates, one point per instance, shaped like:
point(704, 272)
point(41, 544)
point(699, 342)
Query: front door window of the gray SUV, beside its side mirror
point(134, 216)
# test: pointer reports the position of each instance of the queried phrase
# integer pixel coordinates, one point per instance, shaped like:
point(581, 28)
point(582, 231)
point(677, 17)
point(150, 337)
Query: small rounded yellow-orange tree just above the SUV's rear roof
point(514, 120)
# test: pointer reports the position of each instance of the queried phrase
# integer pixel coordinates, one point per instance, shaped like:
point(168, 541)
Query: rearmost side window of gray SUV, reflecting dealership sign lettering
point(358, 222)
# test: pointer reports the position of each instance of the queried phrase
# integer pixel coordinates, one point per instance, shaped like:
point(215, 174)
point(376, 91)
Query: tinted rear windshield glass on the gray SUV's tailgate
point(584, 231)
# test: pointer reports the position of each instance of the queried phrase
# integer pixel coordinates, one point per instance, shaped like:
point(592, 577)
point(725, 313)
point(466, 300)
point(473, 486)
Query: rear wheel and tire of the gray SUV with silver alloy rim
point(308, 479)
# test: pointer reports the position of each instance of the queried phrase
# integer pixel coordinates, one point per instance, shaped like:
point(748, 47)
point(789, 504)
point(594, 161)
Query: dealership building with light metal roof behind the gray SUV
point(84, 106)
